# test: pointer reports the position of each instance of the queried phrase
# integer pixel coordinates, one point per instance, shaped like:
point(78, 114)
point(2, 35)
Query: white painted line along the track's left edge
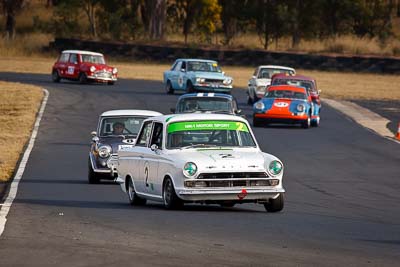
point(5, 207)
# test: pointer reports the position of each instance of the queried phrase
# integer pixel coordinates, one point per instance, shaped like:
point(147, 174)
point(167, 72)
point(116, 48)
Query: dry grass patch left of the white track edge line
point(19, 104)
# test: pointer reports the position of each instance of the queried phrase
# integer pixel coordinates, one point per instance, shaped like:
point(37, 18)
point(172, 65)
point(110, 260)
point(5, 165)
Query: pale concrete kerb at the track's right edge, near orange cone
point(364, 117)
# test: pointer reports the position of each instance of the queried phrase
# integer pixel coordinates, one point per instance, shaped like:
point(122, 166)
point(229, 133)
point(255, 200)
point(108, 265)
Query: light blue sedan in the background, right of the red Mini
point(196, 75)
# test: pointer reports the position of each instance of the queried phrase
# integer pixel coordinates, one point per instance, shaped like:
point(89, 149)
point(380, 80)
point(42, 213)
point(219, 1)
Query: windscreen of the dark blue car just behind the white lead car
point(204, 104)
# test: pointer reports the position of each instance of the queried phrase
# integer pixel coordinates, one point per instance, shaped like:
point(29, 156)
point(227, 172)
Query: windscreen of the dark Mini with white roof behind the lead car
point(127, 125)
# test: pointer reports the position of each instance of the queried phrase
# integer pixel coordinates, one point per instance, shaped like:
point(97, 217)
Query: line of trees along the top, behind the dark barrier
point(270, 19)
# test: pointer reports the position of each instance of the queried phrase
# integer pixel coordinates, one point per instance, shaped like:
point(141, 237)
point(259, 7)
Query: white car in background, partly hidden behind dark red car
point(262, 78)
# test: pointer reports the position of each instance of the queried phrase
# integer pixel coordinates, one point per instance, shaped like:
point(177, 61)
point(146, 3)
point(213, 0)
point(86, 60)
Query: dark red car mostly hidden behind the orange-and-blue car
point(299, 80)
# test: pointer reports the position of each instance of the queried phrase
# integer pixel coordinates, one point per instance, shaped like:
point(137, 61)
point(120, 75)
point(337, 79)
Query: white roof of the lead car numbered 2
point(197, 117)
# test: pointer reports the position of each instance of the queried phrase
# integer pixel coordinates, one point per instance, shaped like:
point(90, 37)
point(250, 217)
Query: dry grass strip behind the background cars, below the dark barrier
point(333, 84)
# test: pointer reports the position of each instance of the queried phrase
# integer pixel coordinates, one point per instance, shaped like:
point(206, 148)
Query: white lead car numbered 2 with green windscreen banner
point(203, 158)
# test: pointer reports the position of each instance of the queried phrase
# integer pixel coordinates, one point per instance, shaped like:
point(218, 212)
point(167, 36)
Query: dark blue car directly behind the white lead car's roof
point(207, 103)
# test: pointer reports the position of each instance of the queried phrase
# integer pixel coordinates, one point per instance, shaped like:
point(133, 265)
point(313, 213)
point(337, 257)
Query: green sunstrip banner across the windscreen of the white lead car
point(207, 125)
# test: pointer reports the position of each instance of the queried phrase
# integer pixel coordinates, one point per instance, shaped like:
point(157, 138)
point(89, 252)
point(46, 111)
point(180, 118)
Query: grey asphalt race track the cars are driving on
point(342, 202)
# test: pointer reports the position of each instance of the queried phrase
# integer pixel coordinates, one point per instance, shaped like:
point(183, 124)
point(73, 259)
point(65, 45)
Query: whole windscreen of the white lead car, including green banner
point(191, 134)
